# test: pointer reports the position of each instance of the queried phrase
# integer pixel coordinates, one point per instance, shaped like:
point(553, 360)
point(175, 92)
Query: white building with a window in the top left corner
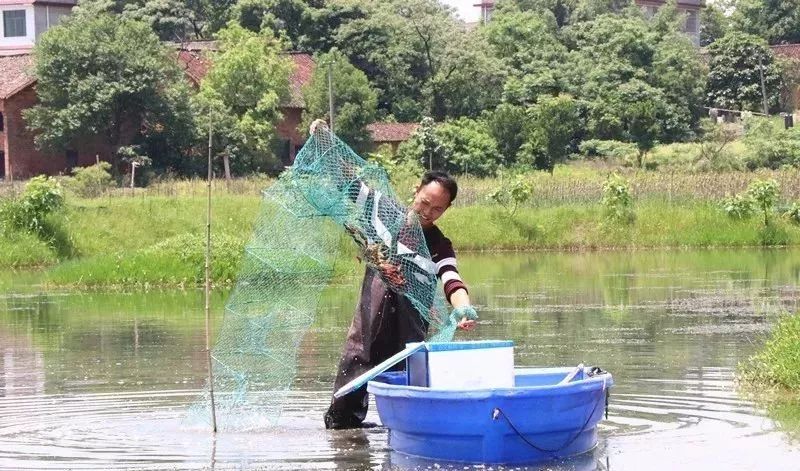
point(23, 21)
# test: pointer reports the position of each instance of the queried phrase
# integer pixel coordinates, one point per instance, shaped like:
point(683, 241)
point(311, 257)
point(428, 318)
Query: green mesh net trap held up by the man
point(288, 262)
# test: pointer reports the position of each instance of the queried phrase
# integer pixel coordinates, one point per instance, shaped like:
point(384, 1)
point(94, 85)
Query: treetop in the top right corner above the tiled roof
point(777, 21)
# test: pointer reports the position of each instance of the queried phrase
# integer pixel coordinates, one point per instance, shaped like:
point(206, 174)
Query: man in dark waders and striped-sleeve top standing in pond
point(386, 320)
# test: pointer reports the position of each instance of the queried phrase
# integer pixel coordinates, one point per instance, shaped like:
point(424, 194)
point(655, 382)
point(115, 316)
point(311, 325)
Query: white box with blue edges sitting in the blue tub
point(463, 365)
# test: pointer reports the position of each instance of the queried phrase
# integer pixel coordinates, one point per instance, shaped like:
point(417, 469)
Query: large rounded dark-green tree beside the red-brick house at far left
point(97, 76)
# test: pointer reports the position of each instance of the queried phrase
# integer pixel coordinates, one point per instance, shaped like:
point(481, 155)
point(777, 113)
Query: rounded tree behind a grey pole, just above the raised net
point(354, 100)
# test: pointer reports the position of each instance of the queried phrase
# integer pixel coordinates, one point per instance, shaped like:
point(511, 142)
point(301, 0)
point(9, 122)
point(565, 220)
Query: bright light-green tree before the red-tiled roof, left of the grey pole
point(241, 95)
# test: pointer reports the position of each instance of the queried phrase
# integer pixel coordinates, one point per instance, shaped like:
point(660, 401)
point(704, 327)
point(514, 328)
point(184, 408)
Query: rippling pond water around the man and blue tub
point(103, 380)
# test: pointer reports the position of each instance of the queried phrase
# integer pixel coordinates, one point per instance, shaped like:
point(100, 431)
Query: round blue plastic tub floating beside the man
point(550, 413)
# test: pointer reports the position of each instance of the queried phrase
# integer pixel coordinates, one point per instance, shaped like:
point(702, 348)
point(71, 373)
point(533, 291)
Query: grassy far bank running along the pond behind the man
point(155, 236)
